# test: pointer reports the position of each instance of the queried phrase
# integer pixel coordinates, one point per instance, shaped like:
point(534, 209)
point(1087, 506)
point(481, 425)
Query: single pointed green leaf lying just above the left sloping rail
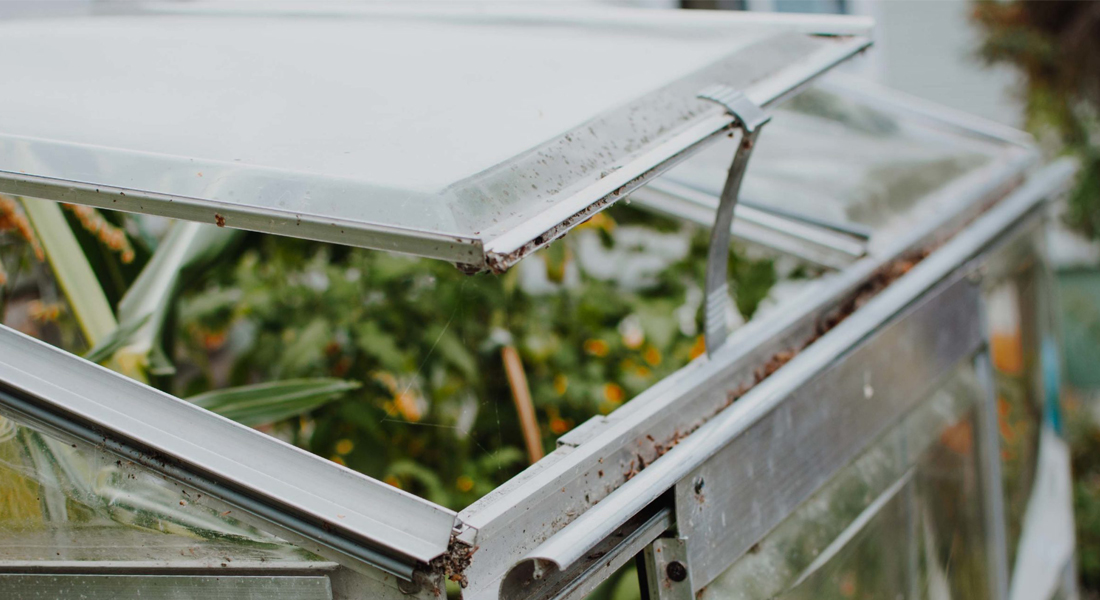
point(272, 402)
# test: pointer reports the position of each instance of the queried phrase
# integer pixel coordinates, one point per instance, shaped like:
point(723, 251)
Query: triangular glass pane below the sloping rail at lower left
point(65, 501)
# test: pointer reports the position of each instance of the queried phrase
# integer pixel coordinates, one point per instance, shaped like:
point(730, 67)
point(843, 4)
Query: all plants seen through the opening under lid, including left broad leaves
point(387, 364)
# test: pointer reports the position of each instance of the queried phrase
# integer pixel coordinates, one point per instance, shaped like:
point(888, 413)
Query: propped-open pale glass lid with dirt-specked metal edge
point(475, 136)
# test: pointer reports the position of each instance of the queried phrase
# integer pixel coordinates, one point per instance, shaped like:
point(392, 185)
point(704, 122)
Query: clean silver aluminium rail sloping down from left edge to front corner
point(353, 515)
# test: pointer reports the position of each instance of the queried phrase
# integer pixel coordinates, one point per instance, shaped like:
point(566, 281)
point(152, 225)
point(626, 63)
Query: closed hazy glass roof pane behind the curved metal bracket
point(841, 160)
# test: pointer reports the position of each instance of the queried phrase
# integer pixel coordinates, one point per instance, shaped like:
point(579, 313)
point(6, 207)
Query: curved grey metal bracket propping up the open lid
point(750, 118)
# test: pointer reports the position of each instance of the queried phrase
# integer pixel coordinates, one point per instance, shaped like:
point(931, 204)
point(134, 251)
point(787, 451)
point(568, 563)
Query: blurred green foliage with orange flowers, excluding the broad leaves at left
point(435, 414)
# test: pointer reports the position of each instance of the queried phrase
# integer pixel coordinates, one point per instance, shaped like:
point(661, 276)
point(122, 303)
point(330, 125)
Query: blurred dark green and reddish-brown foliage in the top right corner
point(1057, 48)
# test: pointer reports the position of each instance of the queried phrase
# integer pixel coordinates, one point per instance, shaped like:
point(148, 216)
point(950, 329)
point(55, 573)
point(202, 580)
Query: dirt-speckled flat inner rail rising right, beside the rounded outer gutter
point(529, 510)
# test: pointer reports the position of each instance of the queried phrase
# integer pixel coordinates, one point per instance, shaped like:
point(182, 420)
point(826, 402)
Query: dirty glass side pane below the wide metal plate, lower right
point(903, 521)
